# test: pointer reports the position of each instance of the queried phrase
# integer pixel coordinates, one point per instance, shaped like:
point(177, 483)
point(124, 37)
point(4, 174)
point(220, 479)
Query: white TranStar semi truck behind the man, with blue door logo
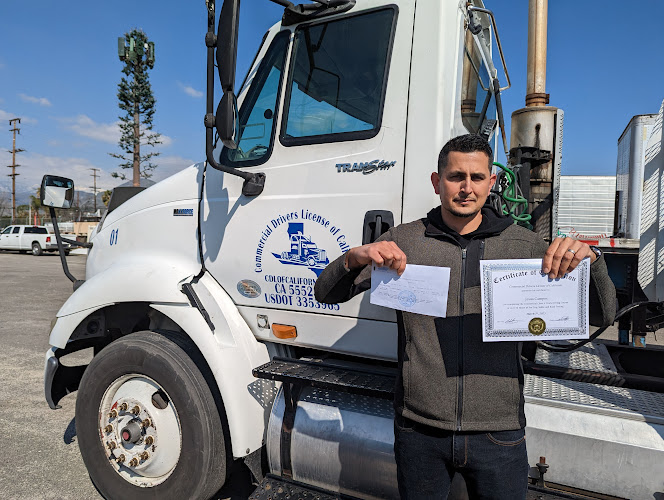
point(210, 346)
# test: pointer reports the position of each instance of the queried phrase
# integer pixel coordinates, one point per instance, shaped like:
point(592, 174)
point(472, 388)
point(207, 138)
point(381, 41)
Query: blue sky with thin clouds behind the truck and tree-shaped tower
point(59, 72)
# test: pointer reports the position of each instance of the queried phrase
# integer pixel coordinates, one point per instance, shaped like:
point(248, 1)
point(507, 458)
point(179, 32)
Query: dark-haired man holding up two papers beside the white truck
point(458, 400)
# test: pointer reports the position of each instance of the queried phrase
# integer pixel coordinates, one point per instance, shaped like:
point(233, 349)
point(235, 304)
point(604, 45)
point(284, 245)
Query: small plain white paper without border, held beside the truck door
point(420, 289)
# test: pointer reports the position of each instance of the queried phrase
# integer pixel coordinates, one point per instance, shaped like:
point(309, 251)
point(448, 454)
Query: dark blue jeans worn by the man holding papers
point(493, 464)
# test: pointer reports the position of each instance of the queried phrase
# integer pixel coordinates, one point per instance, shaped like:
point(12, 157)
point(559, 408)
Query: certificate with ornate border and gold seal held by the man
point(519, 302)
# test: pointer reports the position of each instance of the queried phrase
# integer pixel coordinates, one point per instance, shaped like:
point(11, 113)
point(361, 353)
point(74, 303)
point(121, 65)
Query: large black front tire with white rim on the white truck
point(147, 421)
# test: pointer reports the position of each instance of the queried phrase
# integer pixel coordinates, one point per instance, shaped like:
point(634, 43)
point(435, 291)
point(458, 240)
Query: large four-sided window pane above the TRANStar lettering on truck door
point(338, 78)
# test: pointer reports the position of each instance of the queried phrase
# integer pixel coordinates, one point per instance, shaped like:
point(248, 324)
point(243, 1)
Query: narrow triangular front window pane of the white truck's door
point(259, 109)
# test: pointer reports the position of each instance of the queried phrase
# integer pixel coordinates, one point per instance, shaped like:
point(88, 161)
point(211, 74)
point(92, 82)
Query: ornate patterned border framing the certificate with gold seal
point(490, 332)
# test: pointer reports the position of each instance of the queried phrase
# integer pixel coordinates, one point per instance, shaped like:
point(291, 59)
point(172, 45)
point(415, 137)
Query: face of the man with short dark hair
point(464, 183)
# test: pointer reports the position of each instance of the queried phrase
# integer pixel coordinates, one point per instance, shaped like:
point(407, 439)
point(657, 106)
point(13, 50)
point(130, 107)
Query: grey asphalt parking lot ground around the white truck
point(39, 456)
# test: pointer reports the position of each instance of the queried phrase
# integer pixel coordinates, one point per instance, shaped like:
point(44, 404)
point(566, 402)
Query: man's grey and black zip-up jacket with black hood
point(448, 378)
